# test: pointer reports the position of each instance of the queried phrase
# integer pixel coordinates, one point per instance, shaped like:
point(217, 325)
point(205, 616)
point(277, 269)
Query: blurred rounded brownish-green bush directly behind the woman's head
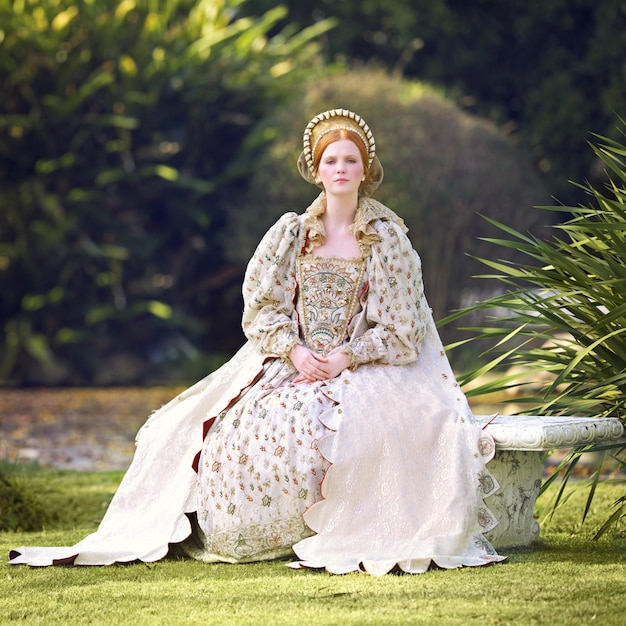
point(442, 169)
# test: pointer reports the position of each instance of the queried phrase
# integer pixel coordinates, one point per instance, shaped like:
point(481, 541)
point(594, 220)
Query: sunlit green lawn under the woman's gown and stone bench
point(566, 578)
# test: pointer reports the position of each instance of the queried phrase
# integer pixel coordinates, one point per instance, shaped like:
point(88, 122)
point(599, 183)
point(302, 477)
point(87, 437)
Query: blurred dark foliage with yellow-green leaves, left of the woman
point(122, 124)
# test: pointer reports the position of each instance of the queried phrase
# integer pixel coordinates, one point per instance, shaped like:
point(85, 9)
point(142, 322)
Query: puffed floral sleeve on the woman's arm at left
point(269, 290)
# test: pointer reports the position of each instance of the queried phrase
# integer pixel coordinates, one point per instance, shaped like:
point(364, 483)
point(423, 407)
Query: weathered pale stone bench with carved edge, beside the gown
point(521, 442)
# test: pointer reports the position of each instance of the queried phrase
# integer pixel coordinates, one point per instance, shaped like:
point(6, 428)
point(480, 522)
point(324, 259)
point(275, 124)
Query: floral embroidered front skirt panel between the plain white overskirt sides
point(260, 469)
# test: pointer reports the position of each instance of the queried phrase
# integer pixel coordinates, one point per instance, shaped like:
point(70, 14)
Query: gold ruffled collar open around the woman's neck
point(313, 233)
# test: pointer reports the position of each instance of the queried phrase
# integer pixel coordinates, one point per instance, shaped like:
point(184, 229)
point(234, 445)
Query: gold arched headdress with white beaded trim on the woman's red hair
point(331, 120)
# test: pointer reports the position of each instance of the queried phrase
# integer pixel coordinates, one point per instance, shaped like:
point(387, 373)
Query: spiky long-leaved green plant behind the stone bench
point(556, 331)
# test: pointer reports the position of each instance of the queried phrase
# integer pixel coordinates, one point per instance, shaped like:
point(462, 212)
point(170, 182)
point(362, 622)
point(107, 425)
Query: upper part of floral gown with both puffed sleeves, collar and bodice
point(387, 321)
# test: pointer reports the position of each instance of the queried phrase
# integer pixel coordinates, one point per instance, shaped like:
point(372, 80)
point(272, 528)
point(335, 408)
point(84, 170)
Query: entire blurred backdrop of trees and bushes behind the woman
point(145, 146)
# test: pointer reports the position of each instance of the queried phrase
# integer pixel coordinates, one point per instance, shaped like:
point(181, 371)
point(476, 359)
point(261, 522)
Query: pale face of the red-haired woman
point(341, 168)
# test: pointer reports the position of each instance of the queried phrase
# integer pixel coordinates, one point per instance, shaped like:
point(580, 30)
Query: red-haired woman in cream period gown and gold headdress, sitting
point(338, 431)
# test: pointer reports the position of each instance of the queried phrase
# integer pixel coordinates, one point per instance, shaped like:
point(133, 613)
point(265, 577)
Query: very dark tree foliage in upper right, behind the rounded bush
point(552, 70)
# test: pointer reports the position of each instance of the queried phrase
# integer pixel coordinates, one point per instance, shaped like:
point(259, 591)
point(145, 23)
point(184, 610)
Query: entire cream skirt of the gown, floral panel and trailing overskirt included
point(378, 468)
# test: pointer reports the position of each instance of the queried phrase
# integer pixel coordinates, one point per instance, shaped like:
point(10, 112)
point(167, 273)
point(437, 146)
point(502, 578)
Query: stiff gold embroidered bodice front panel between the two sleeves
point(329, 291)
